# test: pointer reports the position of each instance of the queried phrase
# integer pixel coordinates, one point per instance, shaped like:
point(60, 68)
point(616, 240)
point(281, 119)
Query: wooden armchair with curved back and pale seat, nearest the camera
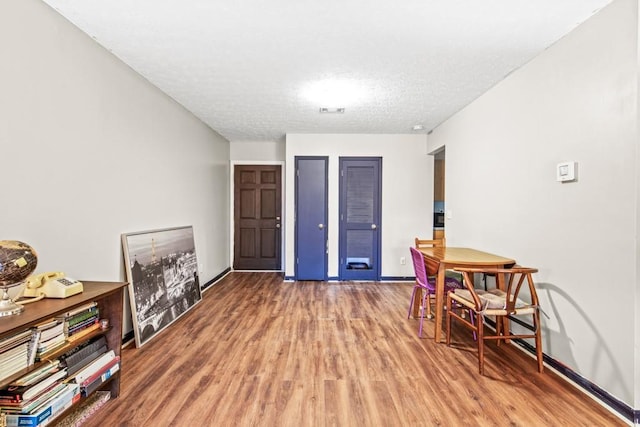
point(498, 303)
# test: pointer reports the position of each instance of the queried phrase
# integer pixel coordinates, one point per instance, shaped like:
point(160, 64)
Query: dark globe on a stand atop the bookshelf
point(17, 262)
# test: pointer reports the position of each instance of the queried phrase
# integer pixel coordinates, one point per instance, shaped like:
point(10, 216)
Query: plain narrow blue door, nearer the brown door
point(311, 218)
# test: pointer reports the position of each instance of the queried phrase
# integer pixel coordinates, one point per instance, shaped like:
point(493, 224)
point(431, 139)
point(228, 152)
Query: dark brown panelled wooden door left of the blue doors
point(257, 213)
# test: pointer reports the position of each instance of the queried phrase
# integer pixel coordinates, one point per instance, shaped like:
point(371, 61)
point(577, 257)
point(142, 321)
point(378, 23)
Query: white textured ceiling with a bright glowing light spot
point(248, 68)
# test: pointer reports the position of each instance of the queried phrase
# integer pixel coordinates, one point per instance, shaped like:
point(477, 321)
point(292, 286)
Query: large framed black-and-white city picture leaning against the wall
point(162, 271)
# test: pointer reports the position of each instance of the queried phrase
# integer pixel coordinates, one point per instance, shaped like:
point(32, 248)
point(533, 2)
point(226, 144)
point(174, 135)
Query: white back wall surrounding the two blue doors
point(407, 192)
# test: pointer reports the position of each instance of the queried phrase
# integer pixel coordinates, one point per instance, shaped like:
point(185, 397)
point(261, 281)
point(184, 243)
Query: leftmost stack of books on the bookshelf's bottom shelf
point(37, 397)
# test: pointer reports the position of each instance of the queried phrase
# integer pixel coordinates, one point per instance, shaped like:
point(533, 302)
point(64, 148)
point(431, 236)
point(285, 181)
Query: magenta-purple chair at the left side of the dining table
point(426, 271)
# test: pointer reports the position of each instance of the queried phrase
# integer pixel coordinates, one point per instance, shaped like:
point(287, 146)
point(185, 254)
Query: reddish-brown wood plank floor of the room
point(257, 351)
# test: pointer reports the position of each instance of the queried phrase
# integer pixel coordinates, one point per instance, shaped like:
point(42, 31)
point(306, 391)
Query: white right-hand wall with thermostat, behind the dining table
point(576, 101)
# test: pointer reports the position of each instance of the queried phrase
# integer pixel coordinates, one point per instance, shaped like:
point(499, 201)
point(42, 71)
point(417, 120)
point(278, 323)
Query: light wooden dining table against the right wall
point(449, 258)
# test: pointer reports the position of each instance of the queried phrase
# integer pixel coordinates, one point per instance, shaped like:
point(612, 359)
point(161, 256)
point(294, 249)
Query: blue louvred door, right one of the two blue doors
point(360, 213)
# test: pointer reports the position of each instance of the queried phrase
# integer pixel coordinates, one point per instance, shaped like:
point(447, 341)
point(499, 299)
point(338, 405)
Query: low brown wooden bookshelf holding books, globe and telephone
point(108, 295)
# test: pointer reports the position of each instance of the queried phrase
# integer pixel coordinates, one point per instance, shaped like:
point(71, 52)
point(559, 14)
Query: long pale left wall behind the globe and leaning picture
point(91, 150)
